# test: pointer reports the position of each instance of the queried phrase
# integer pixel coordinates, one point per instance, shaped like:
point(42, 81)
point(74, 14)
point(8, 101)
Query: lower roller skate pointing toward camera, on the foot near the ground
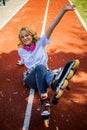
point(45, 110)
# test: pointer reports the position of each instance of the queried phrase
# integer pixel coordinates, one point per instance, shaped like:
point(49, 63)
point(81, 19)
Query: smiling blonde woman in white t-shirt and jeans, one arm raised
point(33, 55)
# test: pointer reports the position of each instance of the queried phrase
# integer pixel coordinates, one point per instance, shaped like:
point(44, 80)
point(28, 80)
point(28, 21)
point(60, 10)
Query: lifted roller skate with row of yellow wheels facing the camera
point(60, 83)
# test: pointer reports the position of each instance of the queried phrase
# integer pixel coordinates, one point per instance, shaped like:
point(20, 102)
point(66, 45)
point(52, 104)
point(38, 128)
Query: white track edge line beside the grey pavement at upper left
point(13, 13)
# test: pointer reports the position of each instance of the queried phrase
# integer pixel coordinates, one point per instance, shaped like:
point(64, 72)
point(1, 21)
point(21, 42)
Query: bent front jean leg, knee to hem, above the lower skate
point(41, 72)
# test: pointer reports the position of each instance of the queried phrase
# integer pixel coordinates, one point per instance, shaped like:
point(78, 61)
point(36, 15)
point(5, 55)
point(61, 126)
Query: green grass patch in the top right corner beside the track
point(81, 6)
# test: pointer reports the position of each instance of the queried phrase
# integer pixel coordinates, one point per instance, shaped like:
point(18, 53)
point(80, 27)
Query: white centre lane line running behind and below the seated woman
point(31, 94)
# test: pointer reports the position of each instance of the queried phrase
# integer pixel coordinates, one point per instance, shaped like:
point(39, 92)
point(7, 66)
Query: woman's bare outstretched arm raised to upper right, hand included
point(57, 19)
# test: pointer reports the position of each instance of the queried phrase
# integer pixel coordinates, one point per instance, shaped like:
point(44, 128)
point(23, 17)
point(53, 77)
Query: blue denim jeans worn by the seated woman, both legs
point(40, 78)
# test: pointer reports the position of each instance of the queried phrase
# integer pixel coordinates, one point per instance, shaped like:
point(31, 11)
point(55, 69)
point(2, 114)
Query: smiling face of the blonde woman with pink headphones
point(25, 38)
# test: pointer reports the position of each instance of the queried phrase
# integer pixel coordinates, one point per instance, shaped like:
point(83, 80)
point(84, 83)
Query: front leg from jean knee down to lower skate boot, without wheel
point(41, 72)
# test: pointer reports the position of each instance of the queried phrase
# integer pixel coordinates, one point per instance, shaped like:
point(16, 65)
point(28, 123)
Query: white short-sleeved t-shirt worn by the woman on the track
point(38, 56)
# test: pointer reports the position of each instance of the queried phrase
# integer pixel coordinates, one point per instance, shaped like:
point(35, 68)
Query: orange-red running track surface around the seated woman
point(68, 42)
